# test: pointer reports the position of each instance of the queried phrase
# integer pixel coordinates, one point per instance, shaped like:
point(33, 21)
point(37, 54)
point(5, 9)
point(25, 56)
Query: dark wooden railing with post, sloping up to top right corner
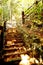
point(27, 13)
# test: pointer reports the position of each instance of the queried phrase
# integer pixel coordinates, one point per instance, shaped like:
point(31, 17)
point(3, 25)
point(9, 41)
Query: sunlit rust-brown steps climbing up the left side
point(14, 46)
